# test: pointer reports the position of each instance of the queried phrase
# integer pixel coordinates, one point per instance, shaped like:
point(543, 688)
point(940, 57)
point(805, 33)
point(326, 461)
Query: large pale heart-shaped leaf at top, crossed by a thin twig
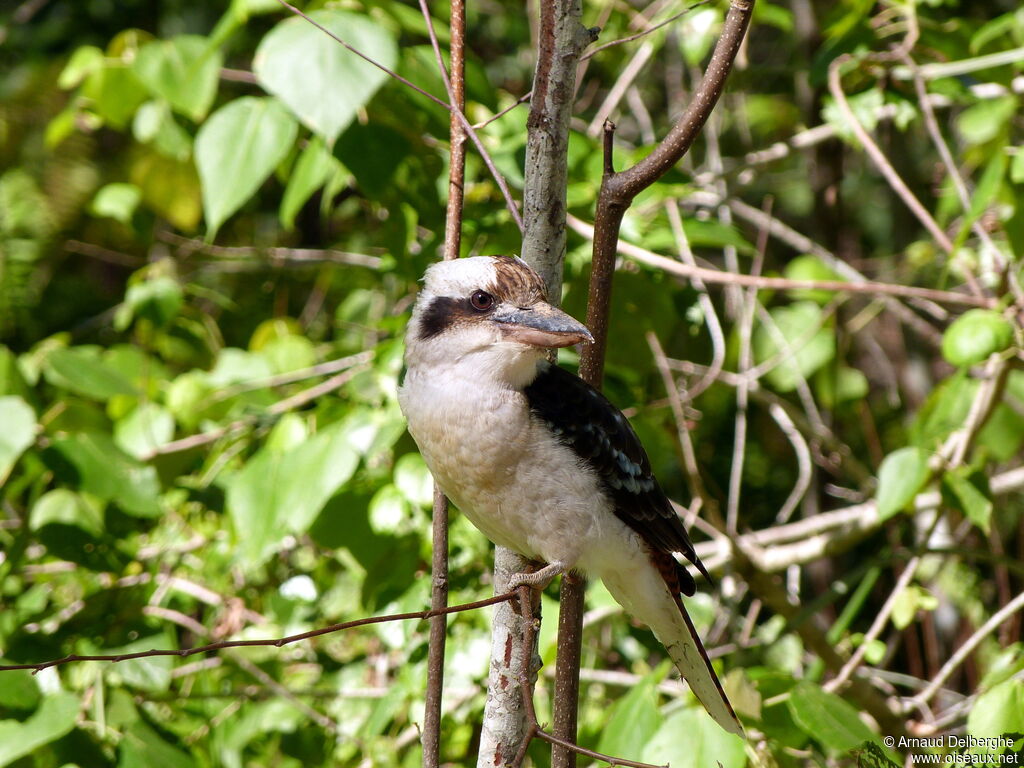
point(316, 76)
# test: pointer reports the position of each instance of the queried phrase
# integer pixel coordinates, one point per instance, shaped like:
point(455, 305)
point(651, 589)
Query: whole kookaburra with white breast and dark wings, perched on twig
point(540, 461)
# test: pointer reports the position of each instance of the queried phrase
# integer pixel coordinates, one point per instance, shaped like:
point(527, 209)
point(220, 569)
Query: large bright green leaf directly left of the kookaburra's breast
point(281, 493)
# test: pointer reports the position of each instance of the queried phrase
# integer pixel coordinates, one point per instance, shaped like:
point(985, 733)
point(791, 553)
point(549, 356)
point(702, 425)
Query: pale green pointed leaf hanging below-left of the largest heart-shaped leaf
point(236, 151)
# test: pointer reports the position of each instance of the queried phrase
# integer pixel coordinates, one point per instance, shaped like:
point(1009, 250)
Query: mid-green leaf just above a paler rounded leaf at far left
point(102, 470)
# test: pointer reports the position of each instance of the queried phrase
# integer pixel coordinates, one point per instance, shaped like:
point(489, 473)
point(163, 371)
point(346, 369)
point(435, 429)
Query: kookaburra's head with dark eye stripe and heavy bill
point(491, 309)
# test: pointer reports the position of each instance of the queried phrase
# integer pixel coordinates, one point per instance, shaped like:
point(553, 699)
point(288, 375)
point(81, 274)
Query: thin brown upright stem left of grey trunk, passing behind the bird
point(456, 84)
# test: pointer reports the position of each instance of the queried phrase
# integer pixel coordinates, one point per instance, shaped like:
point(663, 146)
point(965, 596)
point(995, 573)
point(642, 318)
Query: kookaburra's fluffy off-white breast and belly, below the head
point(507, 473)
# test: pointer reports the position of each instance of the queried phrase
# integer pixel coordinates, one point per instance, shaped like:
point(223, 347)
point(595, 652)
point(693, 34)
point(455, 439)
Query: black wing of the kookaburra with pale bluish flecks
point(586, 421)
